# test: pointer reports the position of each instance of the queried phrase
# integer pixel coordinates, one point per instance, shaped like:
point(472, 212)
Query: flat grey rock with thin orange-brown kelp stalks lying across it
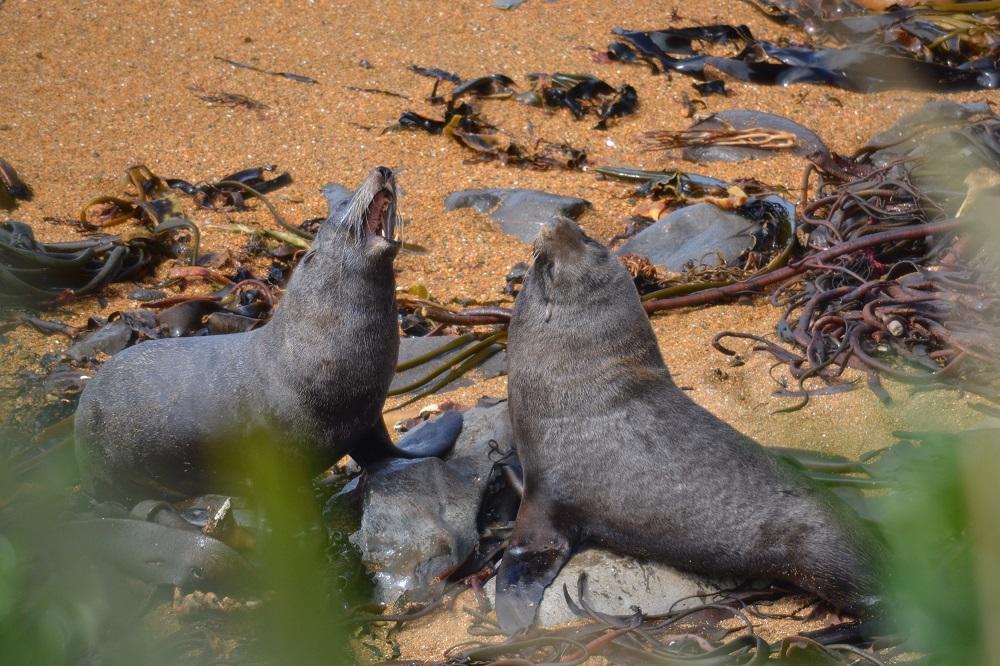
point(807, 140)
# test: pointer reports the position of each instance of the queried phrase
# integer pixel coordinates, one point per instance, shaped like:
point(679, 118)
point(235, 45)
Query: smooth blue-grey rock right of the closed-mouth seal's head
point(693, 233)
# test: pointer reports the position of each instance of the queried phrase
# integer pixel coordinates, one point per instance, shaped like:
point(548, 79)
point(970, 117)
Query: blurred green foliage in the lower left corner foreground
point(57, 606)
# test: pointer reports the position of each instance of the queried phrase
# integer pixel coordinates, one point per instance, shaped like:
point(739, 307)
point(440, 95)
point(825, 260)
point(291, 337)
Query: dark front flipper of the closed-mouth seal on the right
point(537, 551)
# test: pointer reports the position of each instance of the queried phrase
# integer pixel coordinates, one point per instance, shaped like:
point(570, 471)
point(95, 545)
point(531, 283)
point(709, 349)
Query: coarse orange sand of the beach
point(91, 88)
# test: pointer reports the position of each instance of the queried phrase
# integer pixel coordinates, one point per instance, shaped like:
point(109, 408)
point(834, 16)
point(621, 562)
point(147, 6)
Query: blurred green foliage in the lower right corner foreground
point(944, 529)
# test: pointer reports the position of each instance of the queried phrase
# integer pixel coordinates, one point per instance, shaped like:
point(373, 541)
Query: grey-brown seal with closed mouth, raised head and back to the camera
point(616, 455)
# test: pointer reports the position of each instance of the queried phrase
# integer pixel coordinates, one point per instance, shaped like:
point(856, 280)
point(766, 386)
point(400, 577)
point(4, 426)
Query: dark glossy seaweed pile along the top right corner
point(946, 51)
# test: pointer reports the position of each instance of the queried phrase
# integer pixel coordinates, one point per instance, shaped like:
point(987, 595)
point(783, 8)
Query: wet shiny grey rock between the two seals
point(419, 516)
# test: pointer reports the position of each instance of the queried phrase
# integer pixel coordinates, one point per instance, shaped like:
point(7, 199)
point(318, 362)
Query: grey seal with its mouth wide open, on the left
point(168, 417)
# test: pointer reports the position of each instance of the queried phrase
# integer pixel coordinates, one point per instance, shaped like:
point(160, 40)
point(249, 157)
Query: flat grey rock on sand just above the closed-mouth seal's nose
point(519, 212)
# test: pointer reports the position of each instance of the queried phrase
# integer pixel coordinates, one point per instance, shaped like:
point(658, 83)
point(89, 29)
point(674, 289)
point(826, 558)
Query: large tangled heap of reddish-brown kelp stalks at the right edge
point(889, 283)
